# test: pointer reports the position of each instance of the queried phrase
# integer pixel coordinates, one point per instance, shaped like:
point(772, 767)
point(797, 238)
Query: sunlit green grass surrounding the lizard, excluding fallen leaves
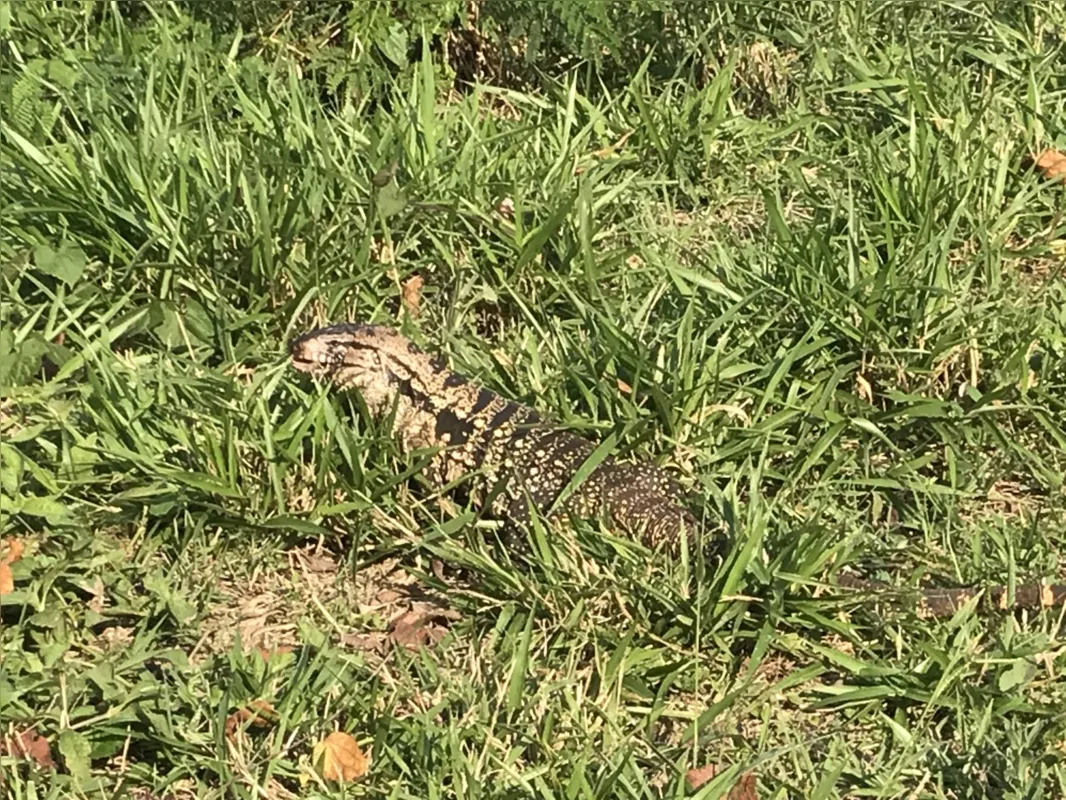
point(823, 197)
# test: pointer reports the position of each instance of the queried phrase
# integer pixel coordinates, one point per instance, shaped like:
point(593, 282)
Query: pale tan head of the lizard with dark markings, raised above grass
point(375, 361)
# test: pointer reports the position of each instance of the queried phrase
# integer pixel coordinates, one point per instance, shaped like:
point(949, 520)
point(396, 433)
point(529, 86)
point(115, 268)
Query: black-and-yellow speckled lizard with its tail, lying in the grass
point(516, 460)
